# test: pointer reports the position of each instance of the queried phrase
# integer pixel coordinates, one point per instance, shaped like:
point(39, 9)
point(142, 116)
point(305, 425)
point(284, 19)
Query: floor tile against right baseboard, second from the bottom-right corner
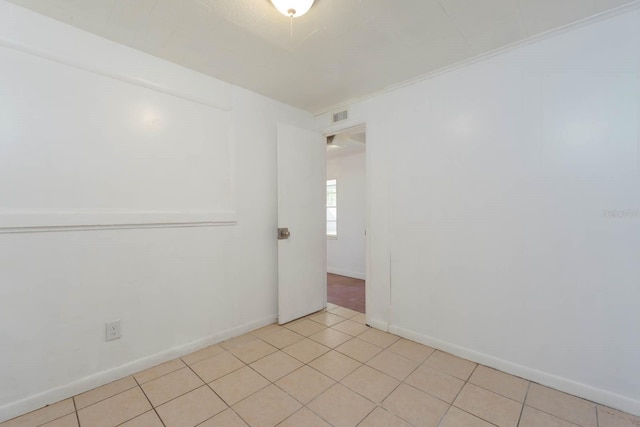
point(562, 405)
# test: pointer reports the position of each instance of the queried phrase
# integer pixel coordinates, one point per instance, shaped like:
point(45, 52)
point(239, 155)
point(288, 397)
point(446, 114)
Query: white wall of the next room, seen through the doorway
point(346, 254)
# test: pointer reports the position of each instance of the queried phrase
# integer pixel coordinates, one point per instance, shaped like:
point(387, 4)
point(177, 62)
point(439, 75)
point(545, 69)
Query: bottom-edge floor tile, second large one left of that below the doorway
point(191, 409)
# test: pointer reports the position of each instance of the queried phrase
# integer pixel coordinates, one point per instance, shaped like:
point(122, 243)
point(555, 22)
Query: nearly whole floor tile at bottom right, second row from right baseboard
point(489, 406)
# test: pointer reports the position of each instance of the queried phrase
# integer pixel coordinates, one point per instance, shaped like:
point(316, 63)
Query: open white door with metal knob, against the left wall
point(302, 271)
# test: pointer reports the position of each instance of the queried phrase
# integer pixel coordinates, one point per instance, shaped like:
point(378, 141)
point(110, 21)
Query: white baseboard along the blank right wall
point(604, 397)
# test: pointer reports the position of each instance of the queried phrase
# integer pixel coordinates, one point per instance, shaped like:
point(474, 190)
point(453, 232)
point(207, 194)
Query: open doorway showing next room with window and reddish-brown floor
point(346, 218)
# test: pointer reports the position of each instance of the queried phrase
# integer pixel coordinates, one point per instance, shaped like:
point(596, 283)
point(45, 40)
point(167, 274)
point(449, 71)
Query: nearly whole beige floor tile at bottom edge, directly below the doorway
point(341, 406)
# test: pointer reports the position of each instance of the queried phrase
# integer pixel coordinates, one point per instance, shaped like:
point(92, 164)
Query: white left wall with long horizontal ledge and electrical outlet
point(174, 288)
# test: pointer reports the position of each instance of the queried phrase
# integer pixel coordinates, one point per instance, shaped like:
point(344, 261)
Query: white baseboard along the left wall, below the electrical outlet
point(57, 394)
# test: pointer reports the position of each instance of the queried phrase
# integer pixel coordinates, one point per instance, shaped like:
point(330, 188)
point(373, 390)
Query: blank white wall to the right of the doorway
point(504, 223)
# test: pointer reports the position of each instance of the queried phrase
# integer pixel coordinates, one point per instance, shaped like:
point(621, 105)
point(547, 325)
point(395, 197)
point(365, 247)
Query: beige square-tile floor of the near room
point(328, 369)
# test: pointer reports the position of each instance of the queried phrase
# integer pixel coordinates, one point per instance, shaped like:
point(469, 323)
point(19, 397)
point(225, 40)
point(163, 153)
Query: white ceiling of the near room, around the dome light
point(341, 49)
